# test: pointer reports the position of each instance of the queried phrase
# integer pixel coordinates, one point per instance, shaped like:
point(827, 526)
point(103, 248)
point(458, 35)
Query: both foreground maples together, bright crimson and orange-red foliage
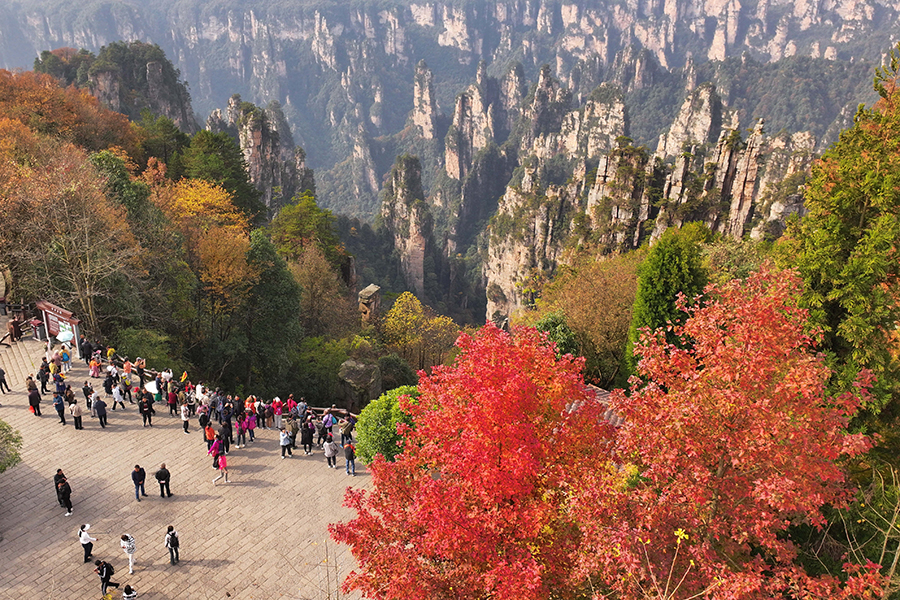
point(511, 485)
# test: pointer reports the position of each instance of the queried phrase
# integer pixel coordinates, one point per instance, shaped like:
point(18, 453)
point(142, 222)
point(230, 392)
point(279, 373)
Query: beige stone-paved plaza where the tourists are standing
point(261, 536)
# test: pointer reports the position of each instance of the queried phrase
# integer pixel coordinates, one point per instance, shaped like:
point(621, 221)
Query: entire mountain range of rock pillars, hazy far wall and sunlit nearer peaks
point(536, 124)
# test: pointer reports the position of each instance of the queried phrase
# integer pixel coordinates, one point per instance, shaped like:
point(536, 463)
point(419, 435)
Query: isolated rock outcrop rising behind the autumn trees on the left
point(276, 166)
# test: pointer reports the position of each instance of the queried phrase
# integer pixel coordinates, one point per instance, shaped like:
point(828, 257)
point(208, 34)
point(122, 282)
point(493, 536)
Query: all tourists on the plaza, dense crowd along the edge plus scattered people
point(226, 422)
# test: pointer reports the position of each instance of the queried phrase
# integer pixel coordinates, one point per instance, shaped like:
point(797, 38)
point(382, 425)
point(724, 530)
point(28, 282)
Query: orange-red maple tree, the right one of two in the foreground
point(727, 441)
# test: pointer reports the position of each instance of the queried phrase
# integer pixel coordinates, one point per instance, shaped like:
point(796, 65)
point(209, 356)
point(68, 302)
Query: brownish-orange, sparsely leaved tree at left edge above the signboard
point(63, 239)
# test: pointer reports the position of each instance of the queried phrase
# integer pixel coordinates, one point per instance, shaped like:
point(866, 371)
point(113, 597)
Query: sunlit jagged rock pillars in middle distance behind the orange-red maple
point(704, 170)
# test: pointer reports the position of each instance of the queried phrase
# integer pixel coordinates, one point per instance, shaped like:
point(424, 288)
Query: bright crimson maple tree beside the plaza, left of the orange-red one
point(475, 506)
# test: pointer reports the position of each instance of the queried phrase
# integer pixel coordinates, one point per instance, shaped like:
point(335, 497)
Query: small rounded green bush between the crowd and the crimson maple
point(377, 426)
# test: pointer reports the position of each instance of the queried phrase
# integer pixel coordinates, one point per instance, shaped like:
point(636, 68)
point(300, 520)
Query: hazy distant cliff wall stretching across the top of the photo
point(337, 68)
